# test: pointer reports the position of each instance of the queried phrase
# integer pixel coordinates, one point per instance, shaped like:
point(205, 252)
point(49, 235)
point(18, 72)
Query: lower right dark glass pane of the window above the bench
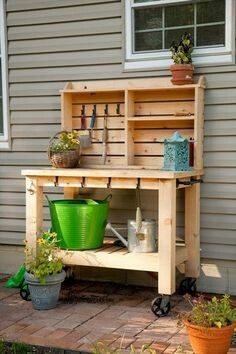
point(211, 35)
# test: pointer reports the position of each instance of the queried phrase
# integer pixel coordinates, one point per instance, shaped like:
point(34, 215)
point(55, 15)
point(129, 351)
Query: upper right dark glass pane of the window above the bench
point(211, 11)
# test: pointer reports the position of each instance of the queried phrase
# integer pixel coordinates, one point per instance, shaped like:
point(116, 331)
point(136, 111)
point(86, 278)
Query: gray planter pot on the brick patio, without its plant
point(45, 296)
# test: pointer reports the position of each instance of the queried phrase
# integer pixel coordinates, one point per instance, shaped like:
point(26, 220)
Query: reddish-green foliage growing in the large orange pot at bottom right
point(211, 313)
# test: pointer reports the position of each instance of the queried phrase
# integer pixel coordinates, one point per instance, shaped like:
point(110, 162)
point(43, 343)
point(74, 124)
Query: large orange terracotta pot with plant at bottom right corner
point(210, 324)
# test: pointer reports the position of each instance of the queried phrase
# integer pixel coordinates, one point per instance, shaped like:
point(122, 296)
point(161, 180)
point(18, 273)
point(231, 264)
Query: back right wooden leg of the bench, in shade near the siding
point(192, 230)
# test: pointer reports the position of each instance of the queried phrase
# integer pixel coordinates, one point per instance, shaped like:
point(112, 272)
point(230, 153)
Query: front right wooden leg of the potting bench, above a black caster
point(167, 236)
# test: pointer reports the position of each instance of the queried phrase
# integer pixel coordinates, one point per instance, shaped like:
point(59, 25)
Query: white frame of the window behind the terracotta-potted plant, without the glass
point(162, 59)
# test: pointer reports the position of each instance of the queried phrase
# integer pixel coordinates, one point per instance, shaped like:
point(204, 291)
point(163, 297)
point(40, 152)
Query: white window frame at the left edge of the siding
point(4, 139)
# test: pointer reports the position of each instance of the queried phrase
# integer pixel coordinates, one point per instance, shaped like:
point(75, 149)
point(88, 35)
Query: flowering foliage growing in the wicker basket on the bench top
point(64, 141)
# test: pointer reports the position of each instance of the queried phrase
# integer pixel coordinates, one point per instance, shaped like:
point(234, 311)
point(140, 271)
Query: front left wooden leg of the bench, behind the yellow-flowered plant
point(34, 211)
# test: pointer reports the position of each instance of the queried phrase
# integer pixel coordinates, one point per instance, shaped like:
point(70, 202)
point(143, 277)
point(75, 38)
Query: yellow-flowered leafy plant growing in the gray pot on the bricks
point(46, 260)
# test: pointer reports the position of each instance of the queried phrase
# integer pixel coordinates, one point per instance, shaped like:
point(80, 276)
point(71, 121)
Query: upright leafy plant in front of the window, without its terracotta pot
point(182, 52)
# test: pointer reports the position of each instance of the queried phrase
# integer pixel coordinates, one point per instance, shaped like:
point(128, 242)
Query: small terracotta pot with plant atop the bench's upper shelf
point(182, 69)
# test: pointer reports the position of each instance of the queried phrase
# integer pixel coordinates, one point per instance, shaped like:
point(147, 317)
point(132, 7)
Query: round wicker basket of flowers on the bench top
point(64, 149)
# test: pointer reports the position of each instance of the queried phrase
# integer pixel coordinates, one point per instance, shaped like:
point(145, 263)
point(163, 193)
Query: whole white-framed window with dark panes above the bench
point(151, 26)
